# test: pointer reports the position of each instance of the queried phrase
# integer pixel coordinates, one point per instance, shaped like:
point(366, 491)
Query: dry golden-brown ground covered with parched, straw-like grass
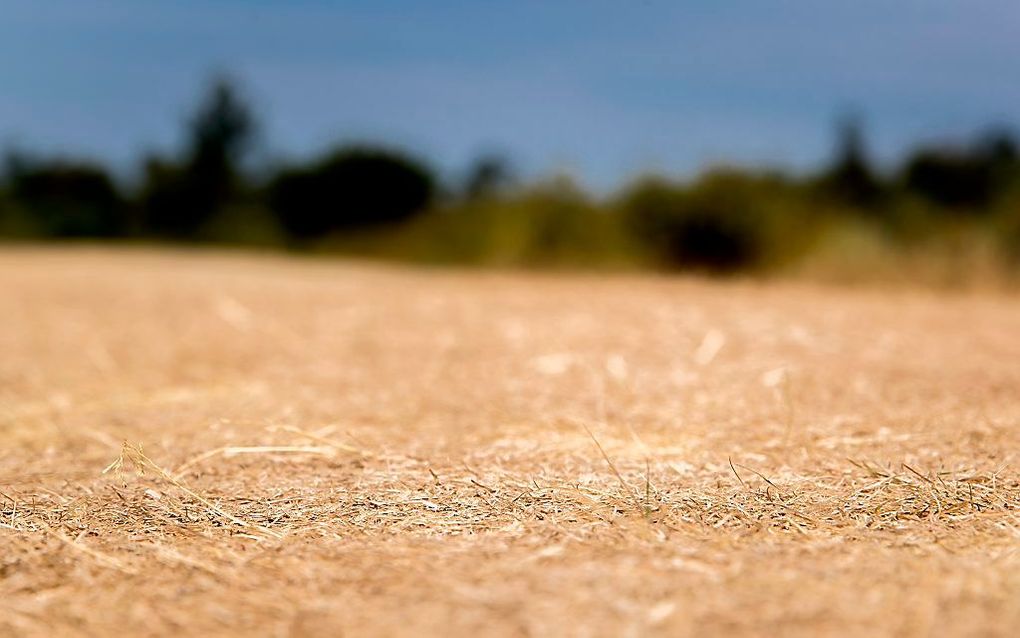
point(302, 448)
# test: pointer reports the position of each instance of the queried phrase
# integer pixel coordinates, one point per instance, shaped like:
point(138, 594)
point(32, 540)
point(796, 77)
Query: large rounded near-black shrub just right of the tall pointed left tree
point(350, 189)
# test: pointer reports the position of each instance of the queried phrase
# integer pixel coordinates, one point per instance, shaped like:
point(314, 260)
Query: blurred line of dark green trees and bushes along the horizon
point(380, 202)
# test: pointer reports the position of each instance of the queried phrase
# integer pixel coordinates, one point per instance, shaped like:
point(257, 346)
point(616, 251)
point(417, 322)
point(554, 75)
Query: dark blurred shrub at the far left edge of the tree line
point(67, 199)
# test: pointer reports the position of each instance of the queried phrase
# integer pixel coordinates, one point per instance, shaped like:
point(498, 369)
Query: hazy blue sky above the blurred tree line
point(601, 88)
